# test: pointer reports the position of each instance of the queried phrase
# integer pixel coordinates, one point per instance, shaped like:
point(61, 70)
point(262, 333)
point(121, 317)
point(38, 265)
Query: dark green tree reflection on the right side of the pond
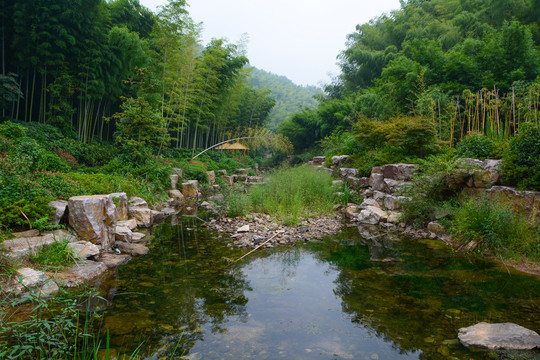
point(423, 297)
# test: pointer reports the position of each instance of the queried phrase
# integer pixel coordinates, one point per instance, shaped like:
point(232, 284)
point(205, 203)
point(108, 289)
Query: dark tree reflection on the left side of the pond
point(188, 286)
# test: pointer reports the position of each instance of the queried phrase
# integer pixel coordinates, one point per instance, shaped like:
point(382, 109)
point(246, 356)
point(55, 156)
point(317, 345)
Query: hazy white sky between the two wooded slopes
point(299, 39)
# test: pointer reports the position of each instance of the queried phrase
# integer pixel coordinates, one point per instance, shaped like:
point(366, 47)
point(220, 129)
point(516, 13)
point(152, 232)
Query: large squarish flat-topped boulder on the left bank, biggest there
point(93, 218)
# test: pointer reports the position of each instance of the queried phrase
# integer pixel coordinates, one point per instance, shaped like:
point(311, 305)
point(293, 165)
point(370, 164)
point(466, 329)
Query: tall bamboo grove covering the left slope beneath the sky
point(73, 64)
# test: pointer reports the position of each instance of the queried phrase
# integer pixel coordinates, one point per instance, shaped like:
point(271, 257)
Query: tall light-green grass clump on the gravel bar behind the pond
point(291, 194)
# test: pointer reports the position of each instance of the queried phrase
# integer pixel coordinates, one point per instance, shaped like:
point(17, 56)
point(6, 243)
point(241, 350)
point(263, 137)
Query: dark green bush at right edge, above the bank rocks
point(521, 165)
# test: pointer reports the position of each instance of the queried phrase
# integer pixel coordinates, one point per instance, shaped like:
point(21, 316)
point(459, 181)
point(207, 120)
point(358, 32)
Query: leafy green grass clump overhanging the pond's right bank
point(495, 227)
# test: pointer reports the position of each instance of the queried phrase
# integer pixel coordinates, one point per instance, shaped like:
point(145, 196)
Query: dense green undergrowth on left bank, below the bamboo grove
point(40, 163)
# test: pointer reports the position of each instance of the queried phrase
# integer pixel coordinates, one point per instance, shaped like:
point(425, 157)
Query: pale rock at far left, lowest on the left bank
point(33, 281)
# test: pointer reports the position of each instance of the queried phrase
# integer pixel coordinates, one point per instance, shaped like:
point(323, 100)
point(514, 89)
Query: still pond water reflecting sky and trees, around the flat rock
point(342, 298)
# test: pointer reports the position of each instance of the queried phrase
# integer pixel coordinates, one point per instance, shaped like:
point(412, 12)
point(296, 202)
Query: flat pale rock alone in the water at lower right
point(499, 336)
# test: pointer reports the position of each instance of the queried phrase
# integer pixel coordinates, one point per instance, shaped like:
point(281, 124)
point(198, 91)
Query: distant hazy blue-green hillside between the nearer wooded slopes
point(289, 97)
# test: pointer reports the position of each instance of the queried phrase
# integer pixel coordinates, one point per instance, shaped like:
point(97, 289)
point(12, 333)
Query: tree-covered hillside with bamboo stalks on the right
point(468, 65)
